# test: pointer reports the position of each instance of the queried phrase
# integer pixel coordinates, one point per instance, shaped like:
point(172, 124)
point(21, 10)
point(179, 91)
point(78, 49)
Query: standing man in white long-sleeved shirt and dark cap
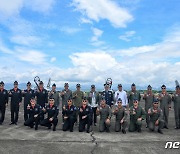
point(121, 94)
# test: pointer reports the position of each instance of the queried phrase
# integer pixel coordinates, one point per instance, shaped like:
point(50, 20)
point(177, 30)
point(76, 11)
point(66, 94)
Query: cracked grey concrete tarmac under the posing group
point(20, 139)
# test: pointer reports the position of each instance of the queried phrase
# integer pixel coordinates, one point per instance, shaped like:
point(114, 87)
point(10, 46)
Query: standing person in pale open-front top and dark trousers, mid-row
point(93, 99)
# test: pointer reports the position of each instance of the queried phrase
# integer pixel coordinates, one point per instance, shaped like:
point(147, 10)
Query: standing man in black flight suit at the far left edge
point(3, 101)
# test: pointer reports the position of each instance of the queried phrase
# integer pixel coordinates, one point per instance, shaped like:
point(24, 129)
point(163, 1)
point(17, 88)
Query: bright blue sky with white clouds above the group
point(88, 41)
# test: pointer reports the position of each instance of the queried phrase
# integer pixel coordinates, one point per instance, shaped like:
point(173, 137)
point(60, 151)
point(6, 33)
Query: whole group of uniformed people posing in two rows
point(42, 107)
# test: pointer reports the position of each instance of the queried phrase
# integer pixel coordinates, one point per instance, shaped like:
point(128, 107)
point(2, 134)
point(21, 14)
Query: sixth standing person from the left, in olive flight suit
point(66, 94)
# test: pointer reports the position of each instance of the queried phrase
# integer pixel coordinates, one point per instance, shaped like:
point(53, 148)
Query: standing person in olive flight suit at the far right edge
point(176, 100)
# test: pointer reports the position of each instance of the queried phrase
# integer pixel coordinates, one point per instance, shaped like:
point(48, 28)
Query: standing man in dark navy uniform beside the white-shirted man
point(108, 95)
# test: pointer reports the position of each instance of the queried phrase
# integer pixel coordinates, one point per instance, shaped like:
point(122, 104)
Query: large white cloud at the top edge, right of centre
point(103, 9)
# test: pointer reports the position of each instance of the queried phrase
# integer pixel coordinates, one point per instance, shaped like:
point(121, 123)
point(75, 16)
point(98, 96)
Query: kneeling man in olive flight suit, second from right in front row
point(137, 114)
